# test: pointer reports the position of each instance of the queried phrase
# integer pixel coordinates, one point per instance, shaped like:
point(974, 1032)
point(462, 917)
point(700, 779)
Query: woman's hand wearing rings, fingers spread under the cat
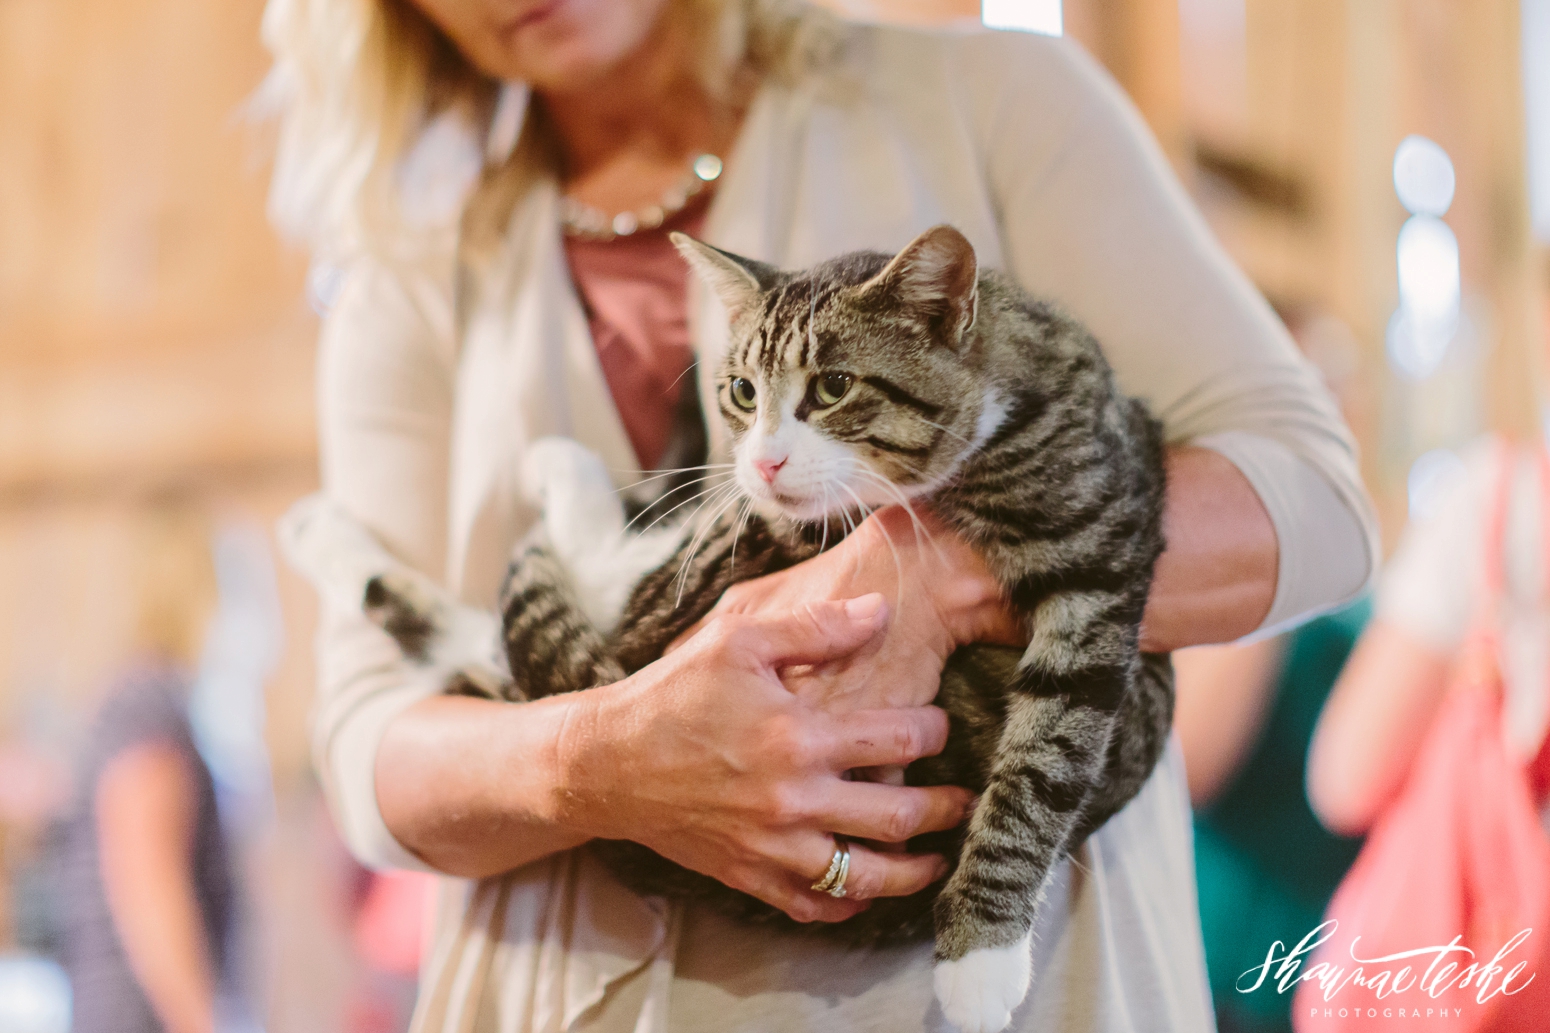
point(711, 761)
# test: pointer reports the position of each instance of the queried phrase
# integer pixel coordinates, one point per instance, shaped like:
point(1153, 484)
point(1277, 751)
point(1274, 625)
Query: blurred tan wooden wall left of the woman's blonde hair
point(153, 330)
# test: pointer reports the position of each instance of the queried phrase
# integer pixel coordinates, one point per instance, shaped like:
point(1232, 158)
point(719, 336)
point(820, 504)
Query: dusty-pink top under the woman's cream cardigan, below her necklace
point(635, 292)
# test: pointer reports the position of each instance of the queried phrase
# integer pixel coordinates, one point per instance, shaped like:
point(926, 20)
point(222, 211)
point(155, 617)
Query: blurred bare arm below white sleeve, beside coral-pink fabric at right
point(1373, 727)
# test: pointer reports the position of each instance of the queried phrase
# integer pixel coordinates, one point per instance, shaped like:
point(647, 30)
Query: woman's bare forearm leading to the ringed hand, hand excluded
point(474, 787)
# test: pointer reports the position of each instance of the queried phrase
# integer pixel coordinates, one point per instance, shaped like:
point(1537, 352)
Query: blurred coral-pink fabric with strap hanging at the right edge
point(1459, 854)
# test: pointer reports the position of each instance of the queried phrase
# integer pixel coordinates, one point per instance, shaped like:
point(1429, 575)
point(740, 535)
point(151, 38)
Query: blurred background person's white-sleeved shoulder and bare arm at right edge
point(1431, 598)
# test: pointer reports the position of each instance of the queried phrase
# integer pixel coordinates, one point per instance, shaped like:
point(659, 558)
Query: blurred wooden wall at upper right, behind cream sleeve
point(1297, 179)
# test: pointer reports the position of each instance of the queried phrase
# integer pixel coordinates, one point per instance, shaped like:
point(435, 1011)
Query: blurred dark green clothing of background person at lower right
point(1264, 863)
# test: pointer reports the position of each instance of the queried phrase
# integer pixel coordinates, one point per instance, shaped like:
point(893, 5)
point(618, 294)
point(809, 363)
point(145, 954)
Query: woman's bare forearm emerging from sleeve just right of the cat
point(1218, 578)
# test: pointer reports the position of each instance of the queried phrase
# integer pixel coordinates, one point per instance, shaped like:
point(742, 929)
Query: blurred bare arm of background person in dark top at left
point(145, 815)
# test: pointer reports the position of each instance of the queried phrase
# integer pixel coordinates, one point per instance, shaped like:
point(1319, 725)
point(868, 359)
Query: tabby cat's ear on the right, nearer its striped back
point(939, 277)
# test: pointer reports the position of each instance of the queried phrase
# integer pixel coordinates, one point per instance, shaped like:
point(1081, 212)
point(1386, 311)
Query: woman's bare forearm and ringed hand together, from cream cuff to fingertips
point(746, 793)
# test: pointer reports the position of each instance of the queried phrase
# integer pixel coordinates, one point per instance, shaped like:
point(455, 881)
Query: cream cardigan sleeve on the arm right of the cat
point(1094, 219)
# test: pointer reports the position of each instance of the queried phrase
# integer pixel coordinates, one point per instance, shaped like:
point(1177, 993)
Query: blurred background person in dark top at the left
point(145, 874)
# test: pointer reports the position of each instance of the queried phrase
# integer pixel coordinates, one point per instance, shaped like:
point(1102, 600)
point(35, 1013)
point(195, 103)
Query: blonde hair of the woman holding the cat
point(356, 83)
